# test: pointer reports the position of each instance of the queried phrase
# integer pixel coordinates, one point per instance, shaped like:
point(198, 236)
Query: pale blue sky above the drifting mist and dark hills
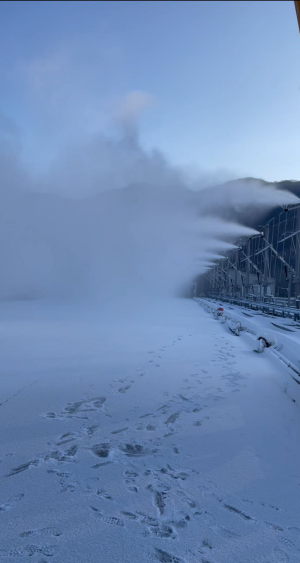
point(220, 80)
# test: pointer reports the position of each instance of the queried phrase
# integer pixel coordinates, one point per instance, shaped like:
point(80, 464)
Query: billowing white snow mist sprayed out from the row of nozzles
point(110, 221)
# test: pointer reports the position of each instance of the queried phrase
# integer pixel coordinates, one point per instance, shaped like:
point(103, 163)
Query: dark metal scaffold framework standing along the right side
point(264, 267)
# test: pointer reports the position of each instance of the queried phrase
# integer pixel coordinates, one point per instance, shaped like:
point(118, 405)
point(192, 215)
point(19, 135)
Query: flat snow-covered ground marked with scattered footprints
point(160, 438)
